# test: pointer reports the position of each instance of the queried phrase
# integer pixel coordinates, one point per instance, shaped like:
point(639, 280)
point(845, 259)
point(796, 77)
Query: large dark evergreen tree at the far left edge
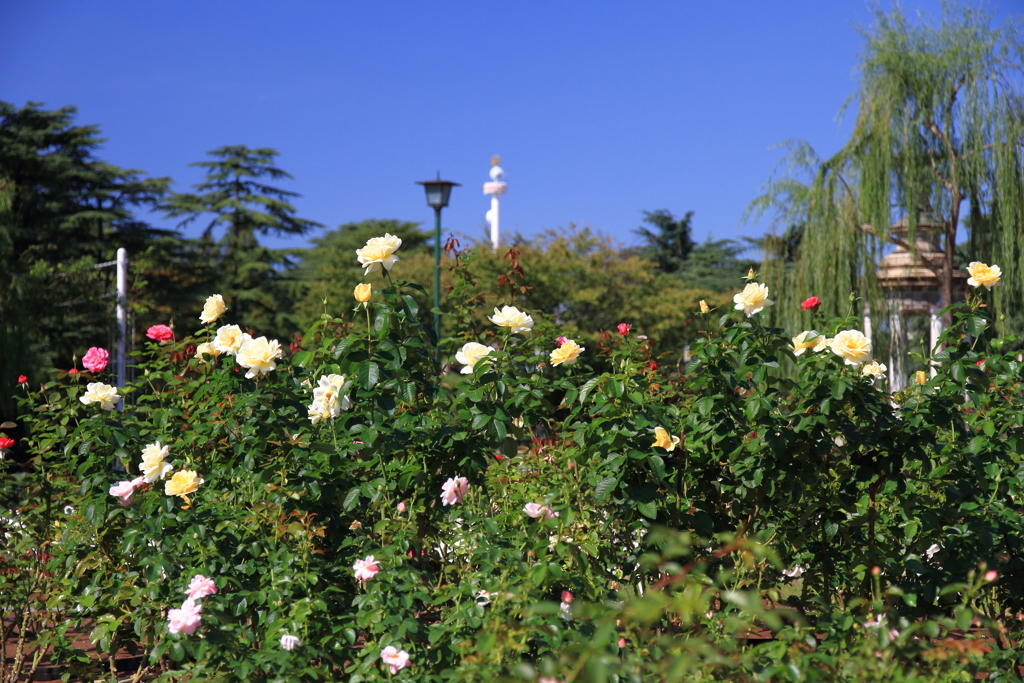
point(62, 211)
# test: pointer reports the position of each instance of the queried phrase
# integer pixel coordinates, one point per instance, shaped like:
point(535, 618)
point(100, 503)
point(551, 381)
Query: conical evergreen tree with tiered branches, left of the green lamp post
point(255, 281)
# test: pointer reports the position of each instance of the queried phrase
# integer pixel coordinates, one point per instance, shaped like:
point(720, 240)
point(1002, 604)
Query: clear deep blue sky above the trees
point(600, 110)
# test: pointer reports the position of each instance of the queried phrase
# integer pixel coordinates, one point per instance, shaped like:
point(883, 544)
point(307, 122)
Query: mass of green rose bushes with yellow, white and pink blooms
point(624, 525)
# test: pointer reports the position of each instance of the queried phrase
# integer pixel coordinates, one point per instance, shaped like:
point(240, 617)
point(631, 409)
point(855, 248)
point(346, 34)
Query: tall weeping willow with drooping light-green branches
point(940, 129)
